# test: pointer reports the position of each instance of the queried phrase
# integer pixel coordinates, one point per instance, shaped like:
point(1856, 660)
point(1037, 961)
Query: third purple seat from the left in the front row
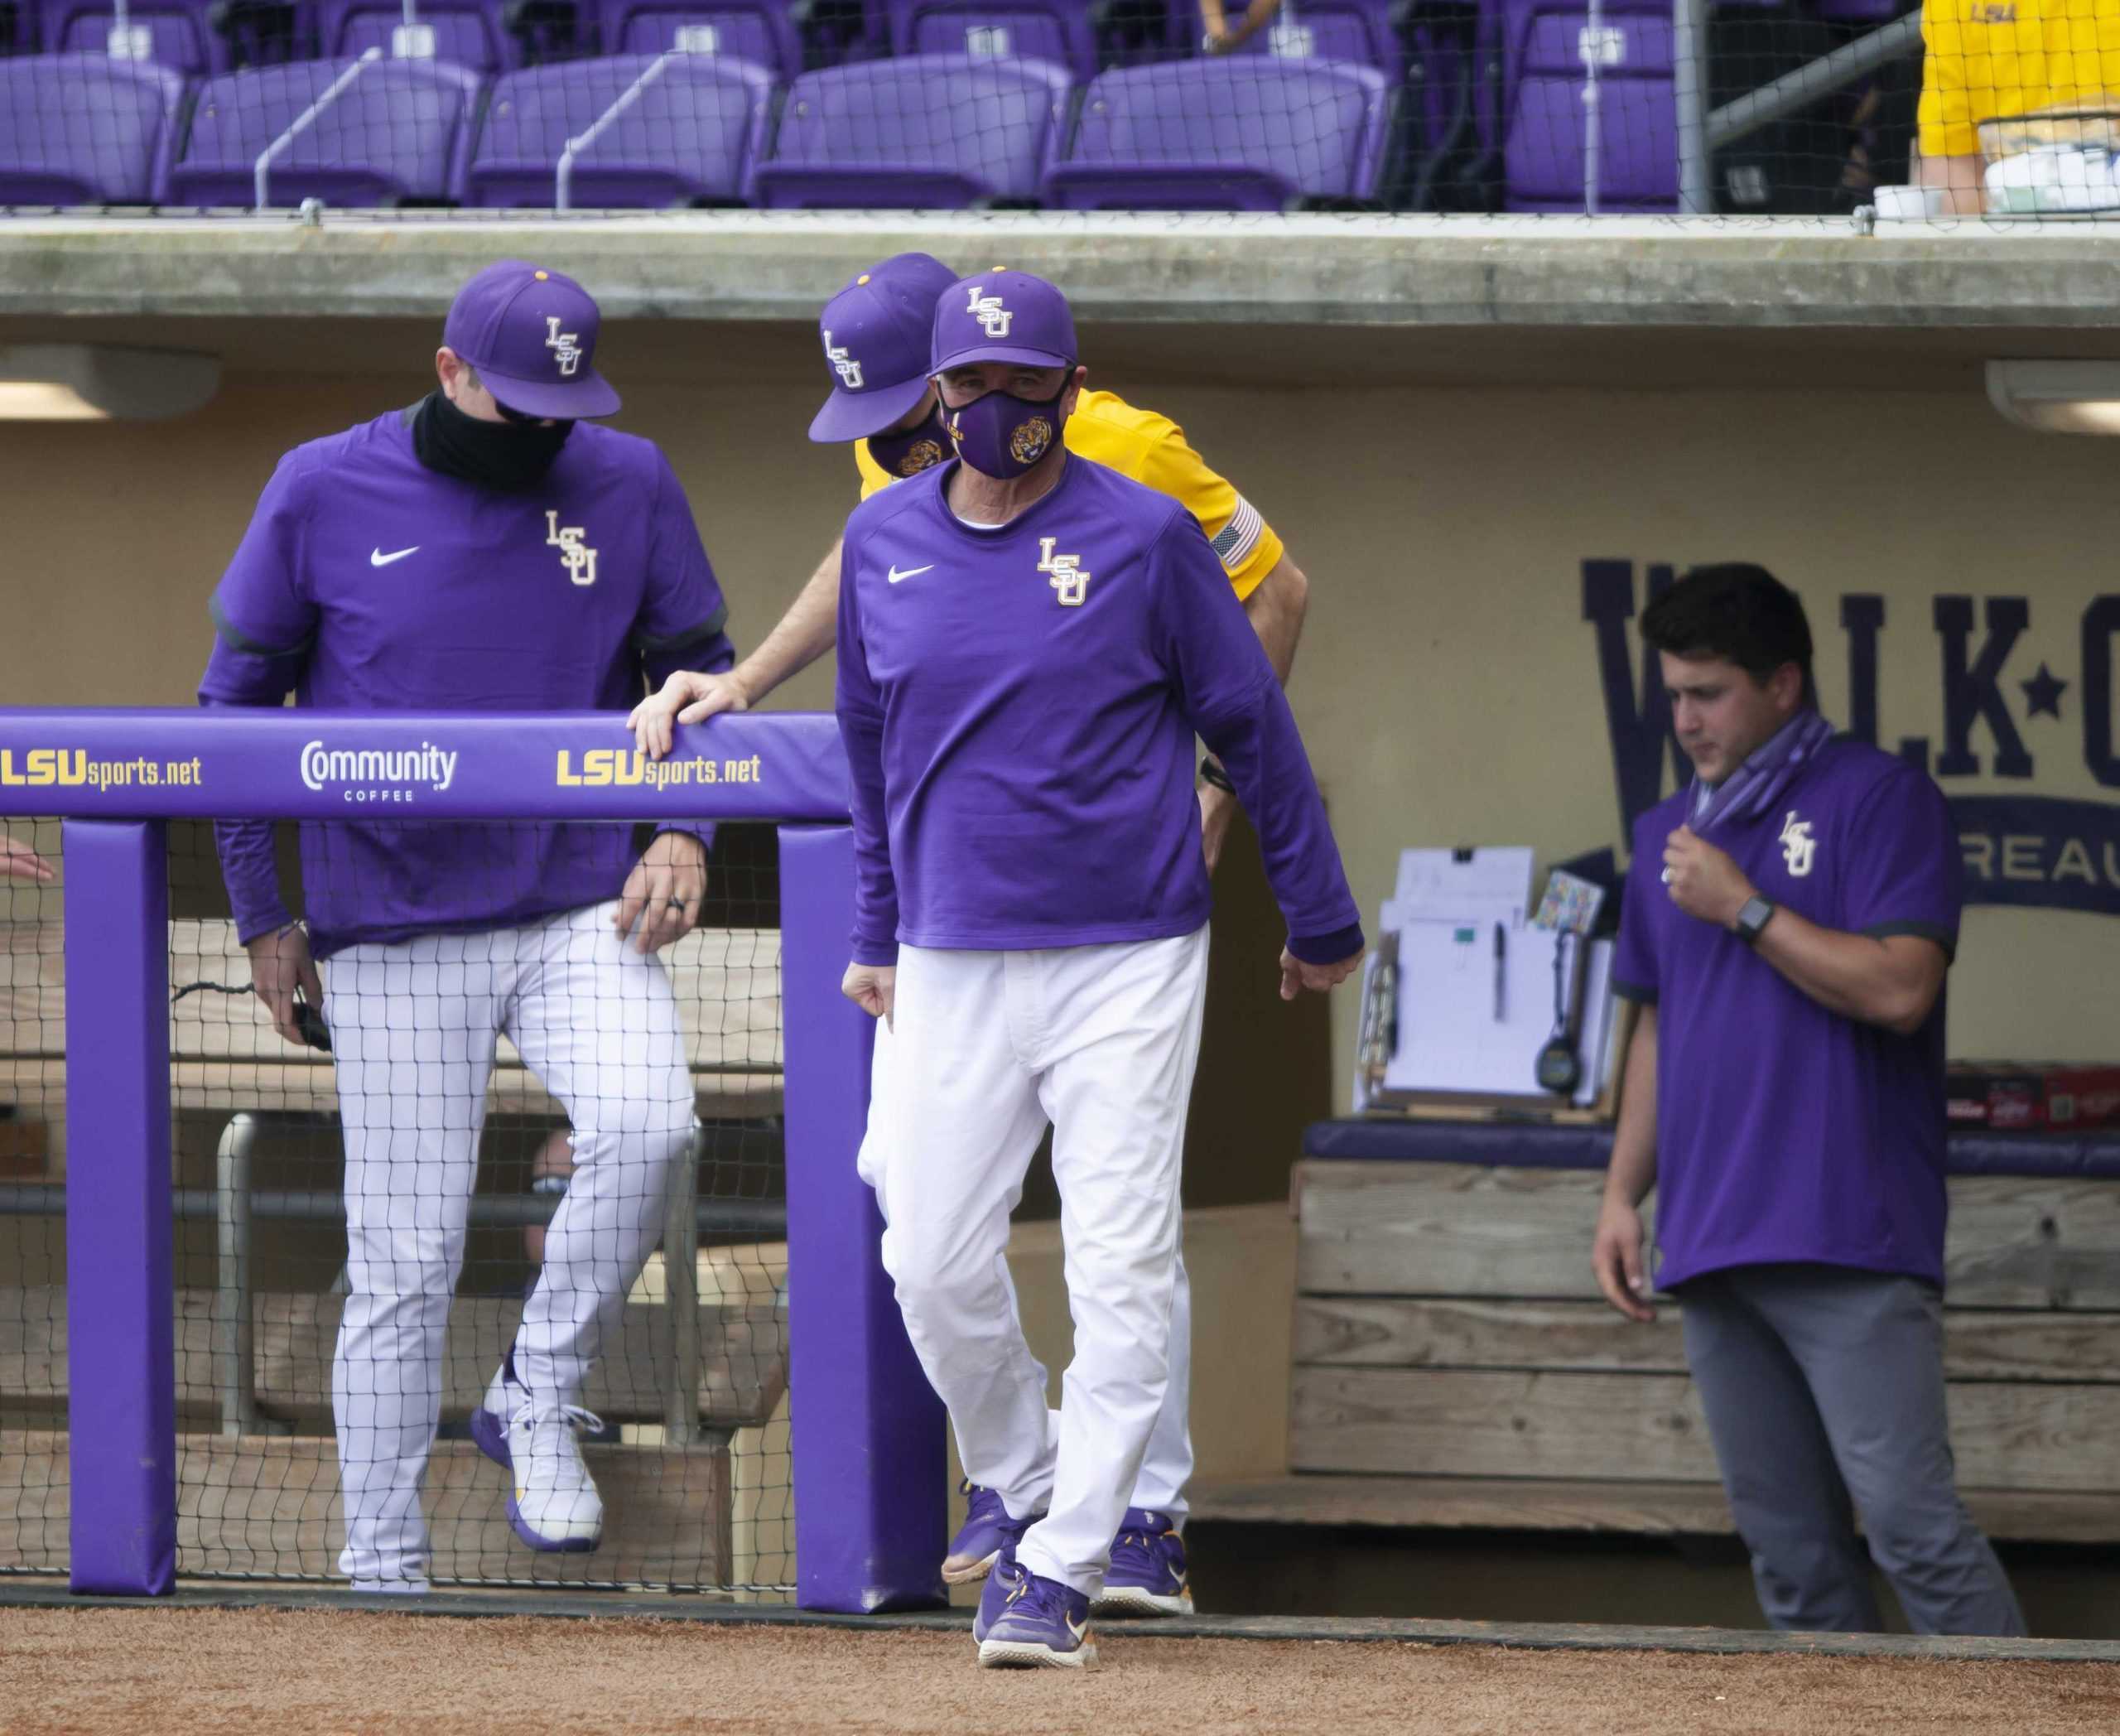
point(692, 137)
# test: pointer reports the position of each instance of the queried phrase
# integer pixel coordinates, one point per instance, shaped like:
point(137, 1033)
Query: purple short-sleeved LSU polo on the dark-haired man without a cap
point(1786, 1133)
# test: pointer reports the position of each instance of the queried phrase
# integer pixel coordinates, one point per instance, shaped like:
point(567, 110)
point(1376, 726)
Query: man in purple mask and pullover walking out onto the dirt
point(1027, 648)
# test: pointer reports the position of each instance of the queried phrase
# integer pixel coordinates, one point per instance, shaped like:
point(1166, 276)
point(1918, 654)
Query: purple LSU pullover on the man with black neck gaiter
point(372, 584)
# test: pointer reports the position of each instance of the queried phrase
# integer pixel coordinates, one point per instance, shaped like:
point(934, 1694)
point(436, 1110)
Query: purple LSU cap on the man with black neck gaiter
point(531, 334)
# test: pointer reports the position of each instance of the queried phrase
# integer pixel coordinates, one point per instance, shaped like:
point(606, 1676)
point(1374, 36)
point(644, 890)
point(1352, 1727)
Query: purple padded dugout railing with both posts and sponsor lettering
point(868, 1442)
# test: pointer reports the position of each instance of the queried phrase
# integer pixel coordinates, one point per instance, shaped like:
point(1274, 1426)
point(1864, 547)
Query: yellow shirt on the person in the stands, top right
point(1994, 60)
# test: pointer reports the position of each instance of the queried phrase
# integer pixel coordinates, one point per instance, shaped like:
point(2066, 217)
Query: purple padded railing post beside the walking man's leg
point(868, 1440)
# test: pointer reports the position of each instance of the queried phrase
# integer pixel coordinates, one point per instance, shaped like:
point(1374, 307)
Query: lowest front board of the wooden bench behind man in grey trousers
point(1631, 1428)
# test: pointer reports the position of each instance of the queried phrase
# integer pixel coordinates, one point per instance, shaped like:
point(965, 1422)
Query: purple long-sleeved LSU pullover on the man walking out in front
point(1019, 711)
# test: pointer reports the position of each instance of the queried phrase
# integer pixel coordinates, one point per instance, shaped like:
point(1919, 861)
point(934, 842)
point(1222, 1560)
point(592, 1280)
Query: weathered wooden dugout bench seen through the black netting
point(699, 1366)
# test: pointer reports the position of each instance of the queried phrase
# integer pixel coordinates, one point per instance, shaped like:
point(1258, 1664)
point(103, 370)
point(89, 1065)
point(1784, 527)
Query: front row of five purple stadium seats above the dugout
point(690, 130)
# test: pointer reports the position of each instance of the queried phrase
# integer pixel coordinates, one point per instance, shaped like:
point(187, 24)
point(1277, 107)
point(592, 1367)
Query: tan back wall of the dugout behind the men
point(1447, 684)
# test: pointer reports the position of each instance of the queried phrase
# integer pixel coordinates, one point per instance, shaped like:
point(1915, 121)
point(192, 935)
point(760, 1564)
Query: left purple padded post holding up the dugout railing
point(122, 1356)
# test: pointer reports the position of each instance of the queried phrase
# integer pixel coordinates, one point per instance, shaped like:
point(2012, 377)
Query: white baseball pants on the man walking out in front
point(985, 1050)
